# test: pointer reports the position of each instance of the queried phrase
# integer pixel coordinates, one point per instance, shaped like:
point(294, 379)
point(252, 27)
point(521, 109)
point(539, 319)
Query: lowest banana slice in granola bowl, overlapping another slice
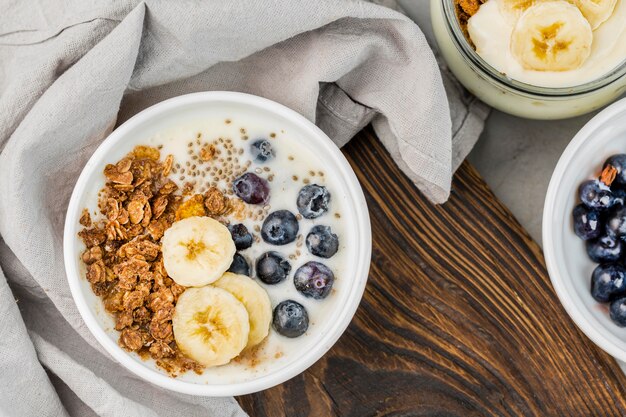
point(210, 325)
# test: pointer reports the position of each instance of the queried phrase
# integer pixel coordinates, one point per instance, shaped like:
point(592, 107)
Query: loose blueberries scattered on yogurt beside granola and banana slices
point(313, 279)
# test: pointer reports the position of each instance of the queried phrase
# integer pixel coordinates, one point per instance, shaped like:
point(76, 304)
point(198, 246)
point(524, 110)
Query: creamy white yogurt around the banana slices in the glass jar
point(490, 31)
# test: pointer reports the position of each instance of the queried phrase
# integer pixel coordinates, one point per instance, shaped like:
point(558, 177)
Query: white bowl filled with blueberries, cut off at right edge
point(584, 229)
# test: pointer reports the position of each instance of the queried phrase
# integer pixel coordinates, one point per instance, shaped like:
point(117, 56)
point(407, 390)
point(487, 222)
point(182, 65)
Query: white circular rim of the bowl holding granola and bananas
point(345, 314)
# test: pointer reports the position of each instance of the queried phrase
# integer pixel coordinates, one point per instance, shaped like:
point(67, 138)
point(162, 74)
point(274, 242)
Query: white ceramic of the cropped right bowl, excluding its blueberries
point(568, 265)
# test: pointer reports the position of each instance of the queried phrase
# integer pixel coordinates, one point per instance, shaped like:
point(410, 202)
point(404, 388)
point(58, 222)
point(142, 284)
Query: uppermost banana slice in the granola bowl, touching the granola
point(197, 251)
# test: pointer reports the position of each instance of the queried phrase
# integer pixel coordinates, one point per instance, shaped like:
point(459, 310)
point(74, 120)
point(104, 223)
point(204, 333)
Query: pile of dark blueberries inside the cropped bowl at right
point(600, 220)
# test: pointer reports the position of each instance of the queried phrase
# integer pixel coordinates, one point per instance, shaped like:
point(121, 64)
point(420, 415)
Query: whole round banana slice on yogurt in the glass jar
point(551, 36)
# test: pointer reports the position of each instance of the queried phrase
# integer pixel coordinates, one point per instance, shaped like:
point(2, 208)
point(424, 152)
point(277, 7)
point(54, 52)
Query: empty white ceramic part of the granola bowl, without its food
point(357, 231)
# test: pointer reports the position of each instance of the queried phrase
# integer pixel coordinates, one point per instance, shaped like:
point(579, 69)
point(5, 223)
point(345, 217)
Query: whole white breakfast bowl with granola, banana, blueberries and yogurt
point(234, 163)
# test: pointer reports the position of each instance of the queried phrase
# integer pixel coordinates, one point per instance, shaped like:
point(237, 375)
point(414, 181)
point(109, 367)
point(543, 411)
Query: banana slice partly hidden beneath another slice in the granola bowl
point(256, 301)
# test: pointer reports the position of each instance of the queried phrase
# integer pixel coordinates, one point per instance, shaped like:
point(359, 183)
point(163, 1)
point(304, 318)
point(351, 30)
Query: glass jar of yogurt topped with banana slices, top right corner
point(477, 49)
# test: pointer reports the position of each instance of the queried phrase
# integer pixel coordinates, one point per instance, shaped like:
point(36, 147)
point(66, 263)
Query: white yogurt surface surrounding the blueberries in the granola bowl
point(292, 158)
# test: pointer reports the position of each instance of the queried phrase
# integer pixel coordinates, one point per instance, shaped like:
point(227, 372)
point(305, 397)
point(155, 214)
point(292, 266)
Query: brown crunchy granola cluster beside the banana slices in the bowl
point(123, 253)
